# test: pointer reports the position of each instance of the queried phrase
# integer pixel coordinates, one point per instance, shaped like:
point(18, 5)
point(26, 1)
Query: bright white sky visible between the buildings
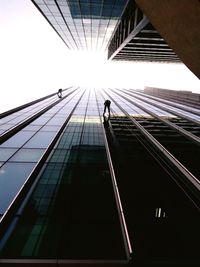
point(35, 62)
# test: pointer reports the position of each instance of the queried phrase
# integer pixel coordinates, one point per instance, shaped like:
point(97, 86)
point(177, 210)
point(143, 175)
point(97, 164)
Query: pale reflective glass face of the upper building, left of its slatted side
point(87, 24)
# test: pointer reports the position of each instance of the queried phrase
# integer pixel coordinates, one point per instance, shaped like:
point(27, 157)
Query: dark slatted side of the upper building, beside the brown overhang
point(136, 39)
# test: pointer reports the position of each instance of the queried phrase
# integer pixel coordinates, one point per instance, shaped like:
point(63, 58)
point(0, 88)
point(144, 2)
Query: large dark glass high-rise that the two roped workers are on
point(80, 187)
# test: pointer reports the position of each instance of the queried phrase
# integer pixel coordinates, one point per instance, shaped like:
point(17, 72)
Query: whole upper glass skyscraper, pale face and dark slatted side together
point(115, 27)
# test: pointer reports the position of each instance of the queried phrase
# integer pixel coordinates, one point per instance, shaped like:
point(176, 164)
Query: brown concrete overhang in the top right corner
point(178, 23)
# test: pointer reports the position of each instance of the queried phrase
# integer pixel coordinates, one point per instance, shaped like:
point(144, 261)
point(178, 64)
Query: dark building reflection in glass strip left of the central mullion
point(72, 212)
